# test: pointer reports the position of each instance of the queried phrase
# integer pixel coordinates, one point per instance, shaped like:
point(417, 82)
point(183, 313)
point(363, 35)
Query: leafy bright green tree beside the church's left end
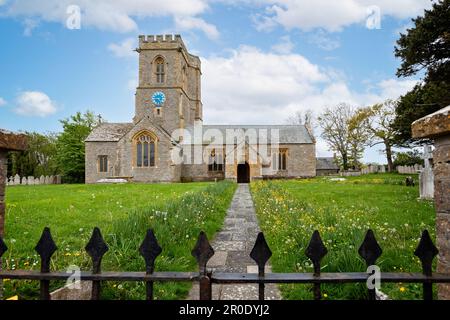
point(70, 144)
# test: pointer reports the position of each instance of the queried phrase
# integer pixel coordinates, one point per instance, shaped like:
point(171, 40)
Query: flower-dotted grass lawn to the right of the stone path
point(289, 212)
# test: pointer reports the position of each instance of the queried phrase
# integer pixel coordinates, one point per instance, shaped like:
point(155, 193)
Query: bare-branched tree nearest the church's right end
point(342, 137)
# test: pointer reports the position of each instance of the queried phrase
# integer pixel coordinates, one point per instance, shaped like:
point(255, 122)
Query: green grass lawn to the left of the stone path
point(177, 213)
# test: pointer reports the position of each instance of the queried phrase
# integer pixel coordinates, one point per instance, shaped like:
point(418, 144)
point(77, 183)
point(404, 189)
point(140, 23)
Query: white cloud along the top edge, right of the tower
point(332, 15)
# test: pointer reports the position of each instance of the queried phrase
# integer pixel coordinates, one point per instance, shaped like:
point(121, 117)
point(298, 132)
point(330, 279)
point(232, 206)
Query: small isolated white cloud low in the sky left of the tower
point(34, 103)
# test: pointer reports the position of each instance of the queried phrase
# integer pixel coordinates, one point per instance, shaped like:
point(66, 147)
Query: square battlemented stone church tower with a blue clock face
point(169, 90)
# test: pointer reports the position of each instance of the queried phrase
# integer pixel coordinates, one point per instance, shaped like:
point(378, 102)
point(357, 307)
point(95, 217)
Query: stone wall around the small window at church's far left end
point(95, 149)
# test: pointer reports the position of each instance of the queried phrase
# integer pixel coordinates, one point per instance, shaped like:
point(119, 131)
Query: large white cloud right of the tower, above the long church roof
point(252, 86)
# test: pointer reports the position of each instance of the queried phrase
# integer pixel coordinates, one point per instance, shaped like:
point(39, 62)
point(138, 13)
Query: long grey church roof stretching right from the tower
point(288, 134)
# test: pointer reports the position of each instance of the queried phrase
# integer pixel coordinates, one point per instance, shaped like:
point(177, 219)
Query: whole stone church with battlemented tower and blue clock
point(168, 142)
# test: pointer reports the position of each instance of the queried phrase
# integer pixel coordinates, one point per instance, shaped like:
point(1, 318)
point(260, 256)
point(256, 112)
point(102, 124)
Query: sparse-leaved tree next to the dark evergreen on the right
point(377, 122)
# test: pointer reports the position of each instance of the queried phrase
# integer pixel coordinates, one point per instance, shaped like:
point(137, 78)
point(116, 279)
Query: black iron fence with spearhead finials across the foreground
point(369, 250)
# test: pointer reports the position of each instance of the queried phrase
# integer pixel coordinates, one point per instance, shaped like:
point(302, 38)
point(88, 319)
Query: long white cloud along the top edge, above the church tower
point(111, 15)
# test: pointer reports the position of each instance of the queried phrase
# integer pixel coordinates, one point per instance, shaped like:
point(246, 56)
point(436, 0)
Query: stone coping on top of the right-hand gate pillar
point(433, 125)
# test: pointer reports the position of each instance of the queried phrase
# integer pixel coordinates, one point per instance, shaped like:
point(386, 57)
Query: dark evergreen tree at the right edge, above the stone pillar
point(424, 48)
